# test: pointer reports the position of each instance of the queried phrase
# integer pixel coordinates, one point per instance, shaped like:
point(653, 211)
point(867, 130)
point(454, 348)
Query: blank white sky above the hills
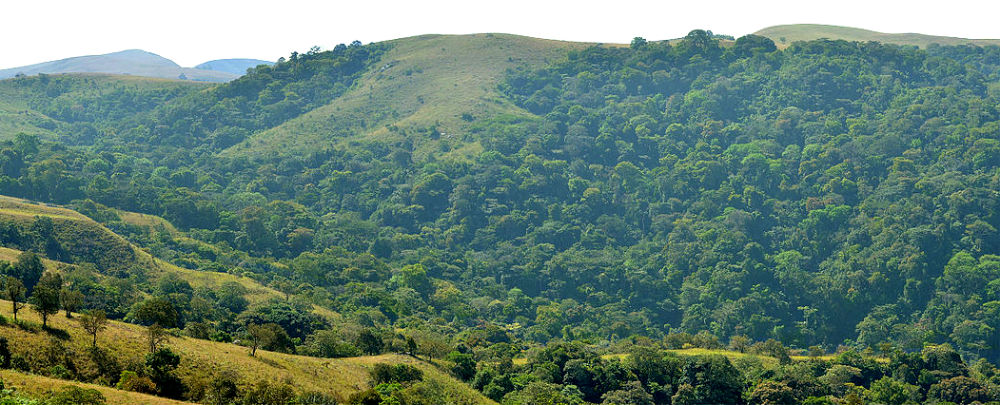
point(191, 32)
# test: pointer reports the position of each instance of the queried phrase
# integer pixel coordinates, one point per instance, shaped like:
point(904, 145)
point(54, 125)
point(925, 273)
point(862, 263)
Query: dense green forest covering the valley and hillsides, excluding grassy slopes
point(828, 197)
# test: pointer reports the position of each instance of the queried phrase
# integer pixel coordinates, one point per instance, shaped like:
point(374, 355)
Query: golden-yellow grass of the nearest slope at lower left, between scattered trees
point(200, 359)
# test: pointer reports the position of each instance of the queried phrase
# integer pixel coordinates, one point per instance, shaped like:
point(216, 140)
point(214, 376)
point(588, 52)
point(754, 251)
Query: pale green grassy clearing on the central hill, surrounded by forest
point(423, 81)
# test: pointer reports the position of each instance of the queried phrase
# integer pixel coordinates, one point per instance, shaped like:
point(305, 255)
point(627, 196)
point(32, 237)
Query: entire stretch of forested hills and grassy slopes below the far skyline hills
point(498, 219)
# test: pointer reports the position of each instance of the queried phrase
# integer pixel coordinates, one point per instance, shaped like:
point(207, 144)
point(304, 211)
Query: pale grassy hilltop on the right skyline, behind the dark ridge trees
point(784, 35)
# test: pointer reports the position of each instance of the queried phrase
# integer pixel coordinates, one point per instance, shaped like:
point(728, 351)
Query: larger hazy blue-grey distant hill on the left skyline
point(133, 62)
